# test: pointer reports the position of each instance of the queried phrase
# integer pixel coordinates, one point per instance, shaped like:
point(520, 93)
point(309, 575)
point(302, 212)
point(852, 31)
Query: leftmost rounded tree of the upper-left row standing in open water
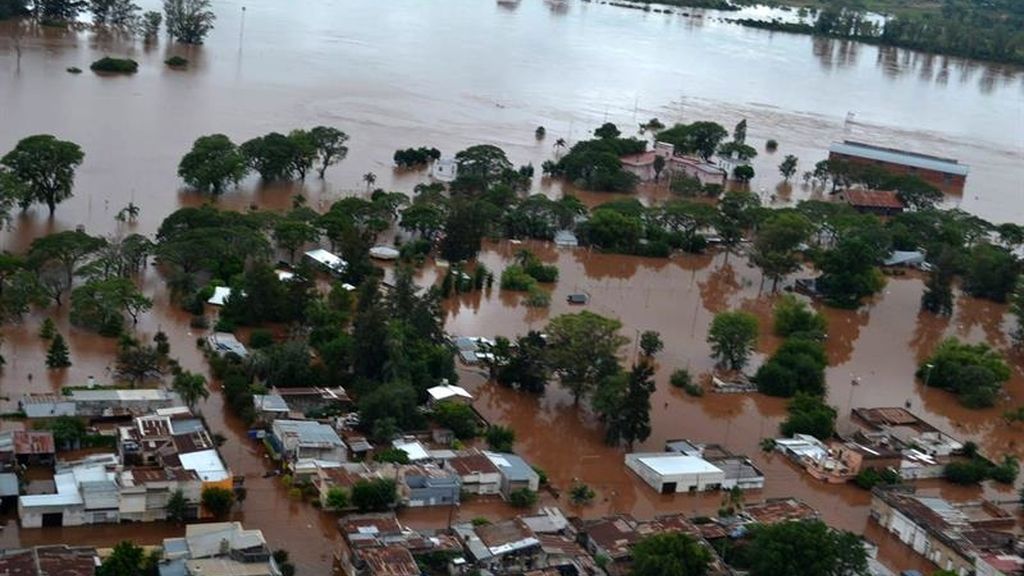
point(212, 163)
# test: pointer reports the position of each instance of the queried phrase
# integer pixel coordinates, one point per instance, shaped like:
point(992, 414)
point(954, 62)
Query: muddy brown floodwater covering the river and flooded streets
point(407, 73)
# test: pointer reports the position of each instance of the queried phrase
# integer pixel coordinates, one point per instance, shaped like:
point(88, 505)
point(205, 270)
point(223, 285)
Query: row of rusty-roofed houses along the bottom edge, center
point(541, 545)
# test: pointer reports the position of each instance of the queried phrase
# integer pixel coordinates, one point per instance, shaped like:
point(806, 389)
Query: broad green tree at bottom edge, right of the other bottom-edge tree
point(805, 549)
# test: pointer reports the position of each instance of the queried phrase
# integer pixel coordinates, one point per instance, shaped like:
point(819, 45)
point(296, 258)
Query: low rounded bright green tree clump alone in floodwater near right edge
point(974, 373)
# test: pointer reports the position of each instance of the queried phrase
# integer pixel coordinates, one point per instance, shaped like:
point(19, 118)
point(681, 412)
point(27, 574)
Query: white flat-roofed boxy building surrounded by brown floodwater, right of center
point(670, 474)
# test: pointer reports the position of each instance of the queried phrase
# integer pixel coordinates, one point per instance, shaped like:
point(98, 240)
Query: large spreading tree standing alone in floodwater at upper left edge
point(47, 167)
